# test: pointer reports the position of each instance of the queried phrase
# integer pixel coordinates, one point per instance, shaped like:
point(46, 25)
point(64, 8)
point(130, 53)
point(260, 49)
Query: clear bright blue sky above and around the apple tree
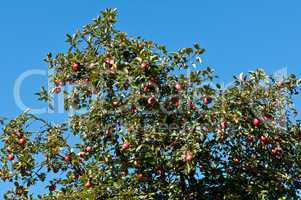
point(239, 36)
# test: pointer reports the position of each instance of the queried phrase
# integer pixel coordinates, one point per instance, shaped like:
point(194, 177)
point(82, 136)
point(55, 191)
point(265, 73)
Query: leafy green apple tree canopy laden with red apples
point(153, 124)
